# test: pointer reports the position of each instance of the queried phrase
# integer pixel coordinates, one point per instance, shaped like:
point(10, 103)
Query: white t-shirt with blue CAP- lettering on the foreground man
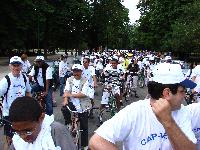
point(138, 128)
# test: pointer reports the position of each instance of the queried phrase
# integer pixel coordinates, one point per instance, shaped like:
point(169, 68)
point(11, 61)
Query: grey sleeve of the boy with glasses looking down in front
point(62, 137)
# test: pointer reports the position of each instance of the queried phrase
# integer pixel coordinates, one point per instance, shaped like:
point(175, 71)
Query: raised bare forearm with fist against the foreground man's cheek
point(177, 137)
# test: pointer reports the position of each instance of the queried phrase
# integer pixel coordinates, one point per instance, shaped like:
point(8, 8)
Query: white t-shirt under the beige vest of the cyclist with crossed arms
point(76, 89)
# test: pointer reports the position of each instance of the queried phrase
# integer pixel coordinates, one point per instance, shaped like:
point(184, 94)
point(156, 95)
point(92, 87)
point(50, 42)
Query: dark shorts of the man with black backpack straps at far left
point(8, 131)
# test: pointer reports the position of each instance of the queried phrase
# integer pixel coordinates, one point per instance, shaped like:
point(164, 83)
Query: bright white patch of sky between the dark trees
point(134, 13)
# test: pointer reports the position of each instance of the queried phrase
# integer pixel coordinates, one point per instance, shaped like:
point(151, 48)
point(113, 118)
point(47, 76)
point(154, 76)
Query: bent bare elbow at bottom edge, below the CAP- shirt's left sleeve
point(98, 143)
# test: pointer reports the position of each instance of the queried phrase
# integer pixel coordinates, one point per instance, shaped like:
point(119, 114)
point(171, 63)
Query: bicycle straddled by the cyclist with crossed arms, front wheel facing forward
point(74, 128)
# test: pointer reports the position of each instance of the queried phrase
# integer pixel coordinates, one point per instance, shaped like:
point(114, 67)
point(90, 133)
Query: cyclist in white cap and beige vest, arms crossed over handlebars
point(77, 94)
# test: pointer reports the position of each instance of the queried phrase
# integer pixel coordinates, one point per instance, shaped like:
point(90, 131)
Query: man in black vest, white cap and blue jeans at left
point(42, 74)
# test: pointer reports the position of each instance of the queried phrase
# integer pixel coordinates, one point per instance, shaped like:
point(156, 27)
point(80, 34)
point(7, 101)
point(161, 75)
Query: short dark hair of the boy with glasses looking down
point(25, 109)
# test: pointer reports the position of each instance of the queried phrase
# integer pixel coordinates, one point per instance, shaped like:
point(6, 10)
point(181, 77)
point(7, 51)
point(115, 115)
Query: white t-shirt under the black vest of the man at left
point(39, 76)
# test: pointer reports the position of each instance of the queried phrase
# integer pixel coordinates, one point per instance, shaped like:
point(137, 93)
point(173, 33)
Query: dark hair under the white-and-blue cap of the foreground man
point(156, 89)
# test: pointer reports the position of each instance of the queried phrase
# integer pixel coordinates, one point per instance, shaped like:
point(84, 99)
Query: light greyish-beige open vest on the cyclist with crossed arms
point(85, 102)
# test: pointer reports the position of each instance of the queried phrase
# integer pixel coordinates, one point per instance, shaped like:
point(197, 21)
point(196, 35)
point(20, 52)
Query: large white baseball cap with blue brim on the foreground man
point(166, 73)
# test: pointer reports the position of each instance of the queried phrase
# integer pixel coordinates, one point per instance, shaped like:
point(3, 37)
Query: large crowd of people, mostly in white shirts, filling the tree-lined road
point(160, 121)
